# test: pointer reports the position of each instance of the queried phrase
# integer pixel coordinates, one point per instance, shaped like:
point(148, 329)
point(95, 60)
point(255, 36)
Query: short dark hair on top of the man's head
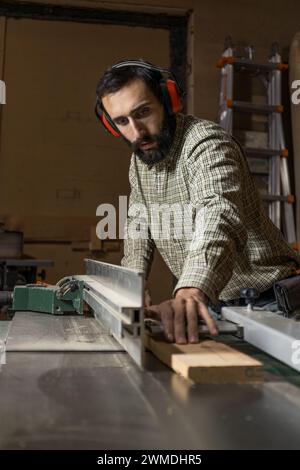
point(116, 78)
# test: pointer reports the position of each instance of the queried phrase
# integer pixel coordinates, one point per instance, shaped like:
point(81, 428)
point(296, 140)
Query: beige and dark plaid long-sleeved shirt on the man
point(235, 244)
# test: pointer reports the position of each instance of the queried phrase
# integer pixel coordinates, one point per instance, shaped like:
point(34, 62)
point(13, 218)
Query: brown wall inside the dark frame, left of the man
point(57, 163)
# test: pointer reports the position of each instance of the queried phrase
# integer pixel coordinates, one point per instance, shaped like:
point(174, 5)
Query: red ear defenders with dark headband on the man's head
point(171, 92)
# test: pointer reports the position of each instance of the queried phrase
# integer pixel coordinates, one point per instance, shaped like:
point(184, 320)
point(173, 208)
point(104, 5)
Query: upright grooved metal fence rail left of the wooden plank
point(115, 294)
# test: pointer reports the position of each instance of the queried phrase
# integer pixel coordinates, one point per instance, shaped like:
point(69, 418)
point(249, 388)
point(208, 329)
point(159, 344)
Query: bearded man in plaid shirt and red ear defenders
point(184, 161)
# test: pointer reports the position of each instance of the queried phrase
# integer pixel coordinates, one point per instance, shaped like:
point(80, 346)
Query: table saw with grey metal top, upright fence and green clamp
point(69, 380)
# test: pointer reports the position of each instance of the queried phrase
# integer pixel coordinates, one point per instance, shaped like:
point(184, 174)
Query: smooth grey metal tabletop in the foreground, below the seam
point(102, 400)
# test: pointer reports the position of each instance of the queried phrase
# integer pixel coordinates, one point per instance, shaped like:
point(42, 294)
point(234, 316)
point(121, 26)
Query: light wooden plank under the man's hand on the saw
point(206, 362)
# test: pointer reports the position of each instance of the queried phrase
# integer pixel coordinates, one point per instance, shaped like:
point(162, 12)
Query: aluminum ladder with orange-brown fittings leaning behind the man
point(279, 198)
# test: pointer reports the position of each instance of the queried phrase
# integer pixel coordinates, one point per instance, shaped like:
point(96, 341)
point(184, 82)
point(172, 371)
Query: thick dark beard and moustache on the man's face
point(164, 141)
